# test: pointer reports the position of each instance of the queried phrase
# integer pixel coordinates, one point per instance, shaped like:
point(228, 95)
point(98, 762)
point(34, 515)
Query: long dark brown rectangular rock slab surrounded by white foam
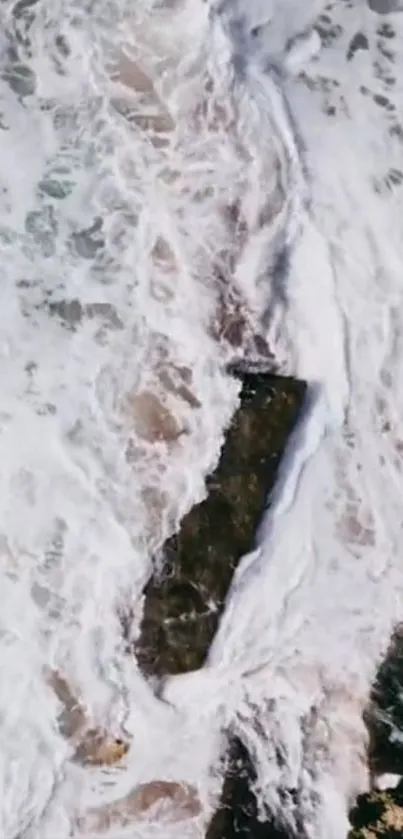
point(183, 604)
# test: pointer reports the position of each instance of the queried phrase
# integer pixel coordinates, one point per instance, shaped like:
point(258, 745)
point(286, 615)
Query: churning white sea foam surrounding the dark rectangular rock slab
point(313, 612)
